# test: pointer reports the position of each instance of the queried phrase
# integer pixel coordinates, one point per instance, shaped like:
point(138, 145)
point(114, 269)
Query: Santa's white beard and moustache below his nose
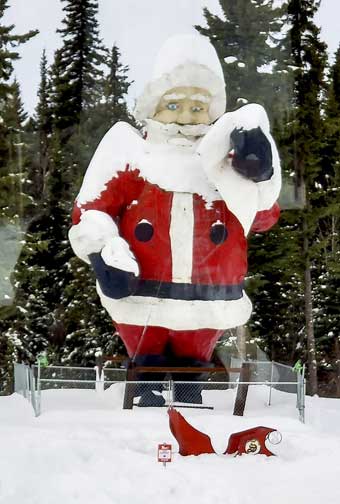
point(184, 135)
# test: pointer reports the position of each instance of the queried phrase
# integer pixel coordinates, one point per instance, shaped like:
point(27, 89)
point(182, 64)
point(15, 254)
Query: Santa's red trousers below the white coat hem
point(198, 344)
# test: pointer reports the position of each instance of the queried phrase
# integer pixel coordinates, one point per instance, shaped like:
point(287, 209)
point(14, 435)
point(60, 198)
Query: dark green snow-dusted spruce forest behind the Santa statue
point(56, 309)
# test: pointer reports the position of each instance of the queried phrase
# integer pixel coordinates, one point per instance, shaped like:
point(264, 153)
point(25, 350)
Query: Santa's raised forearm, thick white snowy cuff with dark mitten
point(240, 158)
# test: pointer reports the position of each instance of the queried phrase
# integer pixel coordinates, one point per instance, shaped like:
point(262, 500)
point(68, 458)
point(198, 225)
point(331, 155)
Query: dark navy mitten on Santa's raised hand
point(252, 154)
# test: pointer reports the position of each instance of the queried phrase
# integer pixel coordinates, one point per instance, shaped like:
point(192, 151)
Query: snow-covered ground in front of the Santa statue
point(85, 449)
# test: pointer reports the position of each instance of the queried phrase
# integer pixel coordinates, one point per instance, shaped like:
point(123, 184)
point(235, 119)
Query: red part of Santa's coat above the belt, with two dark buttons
point(209, 259)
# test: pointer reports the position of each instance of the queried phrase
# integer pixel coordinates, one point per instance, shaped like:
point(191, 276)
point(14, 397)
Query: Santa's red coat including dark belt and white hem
point(179, 241)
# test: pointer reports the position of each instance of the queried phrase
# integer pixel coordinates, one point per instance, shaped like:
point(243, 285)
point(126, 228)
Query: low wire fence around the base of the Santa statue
point(271, 376)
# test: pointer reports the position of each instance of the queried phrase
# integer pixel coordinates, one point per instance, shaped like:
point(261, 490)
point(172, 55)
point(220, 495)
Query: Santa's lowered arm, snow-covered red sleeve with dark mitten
point(110, 184)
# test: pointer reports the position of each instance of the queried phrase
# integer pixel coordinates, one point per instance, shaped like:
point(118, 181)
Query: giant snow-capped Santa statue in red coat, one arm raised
point(163, 217)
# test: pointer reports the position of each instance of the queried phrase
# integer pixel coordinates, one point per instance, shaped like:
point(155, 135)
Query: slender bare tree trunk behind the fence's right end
point(311, 359)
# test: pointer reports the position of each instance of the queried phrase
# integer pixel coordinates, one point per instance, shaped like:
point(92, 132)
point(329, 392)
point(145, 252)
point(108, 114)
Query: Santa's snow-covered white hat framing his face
point(184, 60)
